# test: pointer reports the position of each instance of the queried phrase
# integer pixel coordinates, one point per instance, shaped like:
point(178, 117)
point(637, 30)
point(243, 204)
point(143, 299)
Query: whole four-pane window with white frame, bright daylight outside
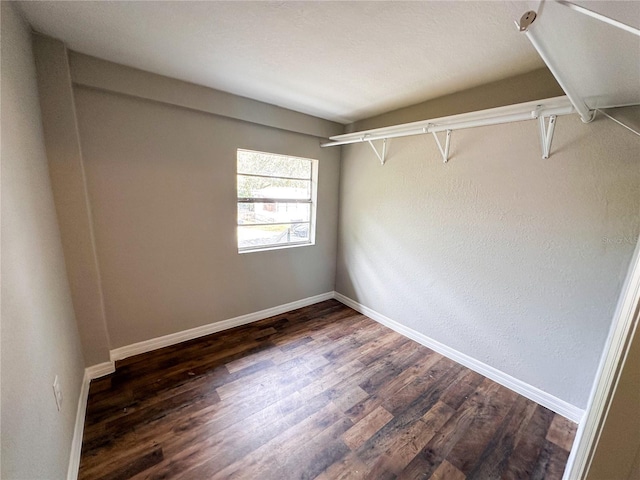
point(276, 200)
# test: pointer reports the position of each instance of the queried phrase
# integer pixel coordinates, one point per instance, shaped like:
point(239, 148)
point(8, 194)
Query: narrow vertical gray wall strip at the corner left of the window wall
point(70, 195)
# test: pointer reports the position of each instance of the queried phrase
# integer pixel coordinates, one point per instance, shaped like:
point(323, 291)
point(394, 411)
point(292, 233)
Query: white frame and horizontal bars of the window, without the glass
point(312, 202)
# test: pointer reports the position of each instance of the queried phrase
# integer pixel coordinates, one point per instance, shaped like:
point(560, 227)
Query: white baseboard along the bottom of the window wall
point(183, 336)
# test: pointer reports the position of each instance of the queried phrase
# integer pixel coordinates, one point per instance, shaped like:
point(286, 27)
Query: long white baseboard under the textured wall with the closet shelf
point(529, 391)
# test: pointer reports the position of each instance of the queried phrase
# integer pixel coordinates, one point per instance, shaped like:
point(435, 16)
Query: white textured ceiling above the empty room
point(342, 61)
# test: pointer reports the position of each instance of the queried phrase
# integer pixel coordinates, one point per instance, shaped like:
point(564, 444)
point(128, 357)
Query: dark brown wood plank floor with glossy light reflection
point(321, 392)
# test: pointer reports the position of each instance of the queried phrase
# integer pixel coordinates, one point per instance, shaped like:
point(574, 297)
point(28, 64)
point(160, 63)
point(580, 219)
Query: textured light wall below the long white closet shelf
point(513, 260)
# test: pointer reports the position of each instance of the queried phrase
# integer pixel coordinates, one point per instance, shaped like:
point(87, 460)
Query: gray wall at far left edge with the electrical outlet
point(39, 333)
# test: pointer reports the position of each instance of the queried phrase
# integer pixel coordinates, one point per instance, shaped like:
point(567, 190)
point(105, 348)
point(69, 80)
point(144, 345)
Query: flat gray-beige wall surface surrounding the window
point(162, 187)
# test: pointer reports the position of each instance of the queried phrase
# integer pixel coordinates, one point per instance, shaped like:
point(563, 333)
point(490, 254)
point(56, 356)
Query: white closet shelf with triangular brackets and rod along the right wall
point(595, 58)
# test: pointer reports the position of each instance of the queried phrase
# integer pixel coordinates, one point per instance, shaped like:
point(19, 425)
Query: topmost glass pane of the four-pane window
point(259, 163)
